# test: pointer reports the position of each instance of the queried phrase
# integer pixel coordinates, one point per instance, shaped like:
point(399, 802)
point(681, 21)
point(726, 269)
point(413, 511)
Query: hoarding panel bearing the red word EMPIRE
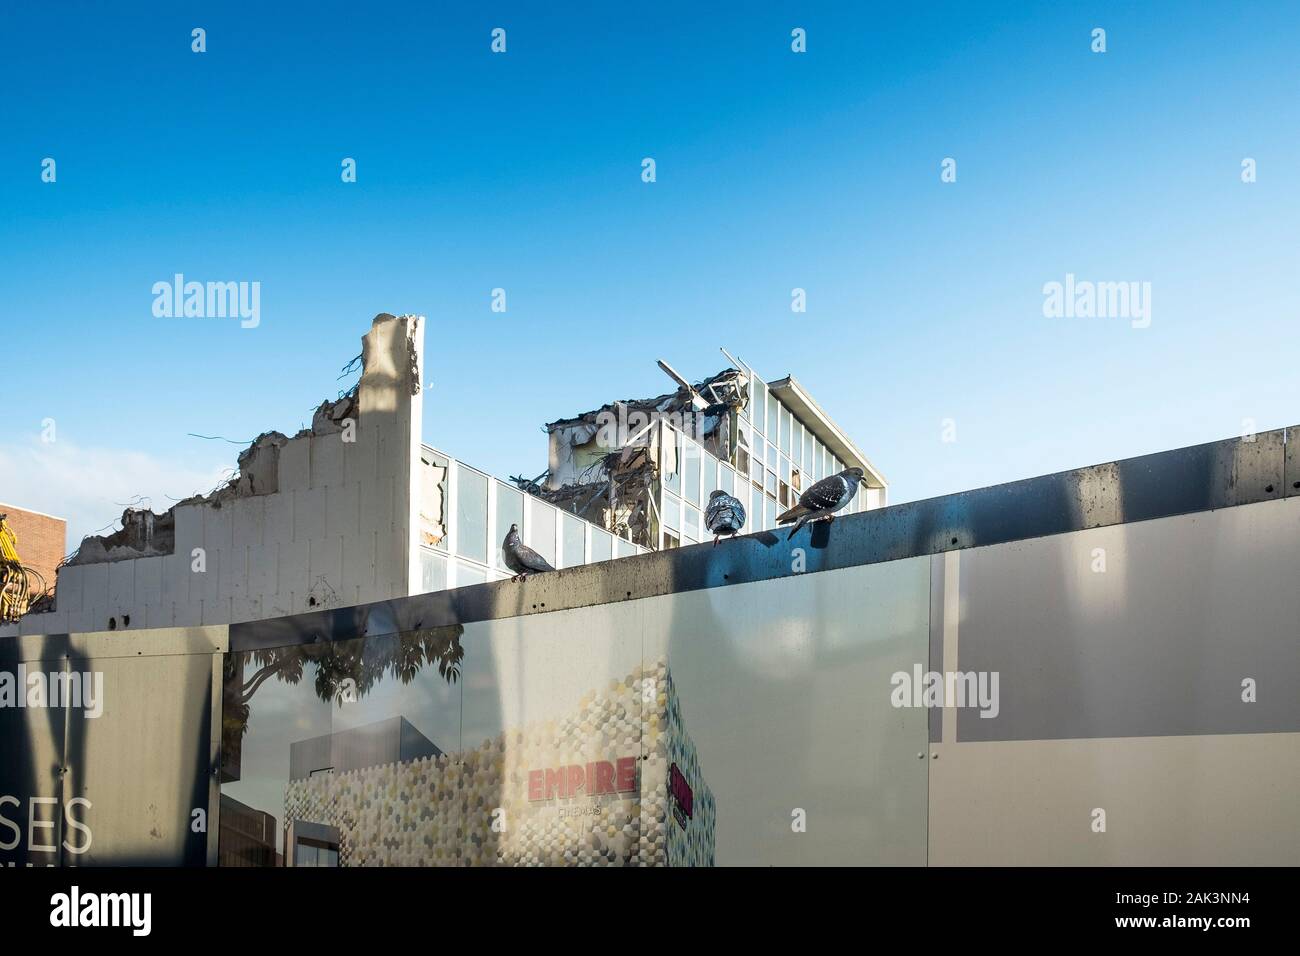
point(554, 730)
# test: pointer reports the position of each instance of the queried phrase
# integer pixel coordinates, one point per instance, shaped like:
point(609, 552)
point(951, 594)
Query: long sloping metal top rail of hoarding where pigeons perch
point(1186, 481)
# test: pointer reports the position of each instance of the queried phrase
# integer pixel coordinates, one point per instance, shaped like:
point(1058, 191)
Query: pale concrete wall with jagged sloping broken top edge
point(323, 518)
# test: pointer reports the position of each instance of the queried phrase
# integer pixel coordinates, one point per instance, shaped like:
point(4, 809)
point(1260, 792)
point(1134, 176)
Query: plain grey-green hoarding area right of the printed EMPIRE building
point(786, 690)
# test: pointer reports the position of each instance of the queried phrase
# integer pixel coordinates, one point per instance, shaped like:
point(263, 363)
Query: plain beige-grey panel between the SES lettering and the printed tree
point(145, 763)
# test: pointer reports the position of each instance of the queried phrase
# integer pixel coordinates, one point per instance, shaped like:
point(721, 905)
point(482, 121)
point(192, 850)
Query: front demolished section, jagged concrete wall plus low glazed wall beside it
point(354, 509)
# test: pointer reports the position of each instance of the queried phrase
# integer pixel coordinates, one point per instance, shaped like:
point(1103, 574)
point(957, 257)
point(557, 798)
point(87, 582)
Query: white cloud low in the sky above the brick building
point(92, 487)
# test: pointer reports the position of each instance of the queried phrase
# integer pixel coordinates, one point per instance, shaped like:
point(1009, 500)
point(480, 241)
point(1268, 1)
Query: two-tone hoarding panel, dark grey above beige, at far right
point(1146, 710)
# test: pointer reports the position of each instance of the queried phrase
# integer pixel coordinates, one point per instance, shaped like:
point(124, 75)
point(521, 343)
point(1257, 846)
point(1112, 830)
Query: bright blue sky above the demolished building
point(523, 171)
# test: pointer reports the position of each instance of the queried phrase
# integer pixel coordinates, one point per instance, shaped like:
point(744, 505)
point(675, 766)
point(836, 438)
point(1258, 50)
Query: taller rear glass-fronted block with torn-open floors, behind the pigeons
point(644, 469)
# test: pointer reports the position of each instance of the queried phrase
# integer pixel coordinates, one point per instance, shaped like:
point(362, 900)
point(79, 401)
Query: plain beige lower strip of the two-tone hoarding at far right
point(1169, 802)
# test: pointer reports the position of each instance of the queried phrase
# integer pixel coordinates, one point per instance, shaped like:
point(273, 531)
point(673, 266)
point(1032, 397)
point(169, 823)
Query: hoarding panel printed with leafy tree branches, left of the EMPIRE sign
point(344, 759)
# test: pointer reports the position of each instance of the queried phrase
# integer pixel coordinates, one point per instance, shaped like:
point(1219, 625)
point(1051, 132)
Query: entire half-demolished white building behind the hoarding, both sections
point(358, 509)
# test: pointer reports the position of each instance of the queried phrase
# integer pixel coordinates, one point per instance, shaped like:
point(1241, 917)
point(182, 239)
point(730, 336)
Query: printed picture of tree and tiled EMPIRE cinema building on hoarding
point(352, 755)
